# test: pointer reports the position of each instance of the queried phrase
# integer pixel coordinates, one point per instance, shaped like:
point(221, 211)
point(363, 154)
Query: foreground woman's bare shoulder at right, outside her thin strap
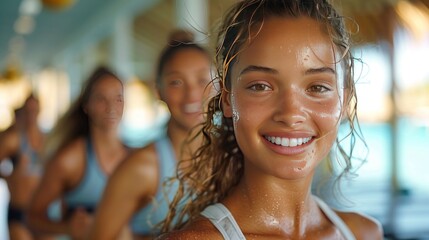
point(362, 226)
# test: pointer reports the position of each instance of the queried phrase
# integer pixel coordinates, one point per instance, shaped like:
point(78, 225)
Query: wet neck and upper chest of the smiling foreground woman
point(276, 205)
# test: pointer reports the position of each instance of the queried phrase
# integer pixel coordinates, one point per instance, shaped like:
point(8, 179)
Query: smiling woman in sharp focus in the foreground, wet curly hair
point(286, 84)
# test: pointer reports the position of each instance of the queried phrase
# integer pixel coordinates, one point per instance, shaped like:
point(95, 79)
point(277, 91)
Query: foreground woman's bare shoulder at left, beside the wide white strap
point(200, 228)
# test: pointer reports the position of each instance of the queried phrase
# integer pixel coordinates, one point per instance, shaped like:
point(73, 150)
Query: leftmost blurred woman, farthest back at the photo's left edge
point(22, 144)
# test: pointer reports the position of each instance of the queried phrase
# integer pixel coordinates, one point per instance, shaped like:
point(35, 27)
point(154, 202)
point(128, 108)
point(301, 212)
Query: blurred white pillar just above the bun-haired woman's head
point(193, 15)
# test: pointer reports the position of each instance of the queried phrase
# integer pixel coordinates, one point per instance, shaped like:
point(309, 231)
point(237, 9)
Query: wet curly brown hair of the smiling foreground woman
point(217, 165)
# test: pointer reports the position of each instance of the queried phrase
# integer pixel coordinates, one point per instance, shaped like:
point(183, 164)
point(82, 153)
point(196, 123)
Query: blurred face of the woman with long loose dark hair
point(106, 103)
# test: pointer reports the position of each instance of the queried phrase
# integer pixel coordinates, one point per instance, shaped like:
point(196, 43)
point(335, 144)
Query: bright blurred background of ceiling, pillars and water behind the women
point(49, 47)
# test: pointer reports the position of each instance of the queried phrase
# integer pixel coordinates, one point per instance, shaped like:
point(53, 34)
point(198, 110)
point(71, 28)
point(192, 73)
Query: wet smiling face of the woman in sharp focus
point(286, 98)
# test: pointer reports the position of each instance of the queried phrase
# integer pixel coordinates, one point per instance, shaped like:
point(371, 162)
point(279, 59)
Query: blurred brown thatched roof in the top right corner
point(375, 20)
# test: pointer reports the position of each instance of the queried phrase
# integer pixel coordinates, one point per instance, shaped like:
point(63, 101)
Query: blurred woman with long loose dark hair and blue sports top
point(82, 151)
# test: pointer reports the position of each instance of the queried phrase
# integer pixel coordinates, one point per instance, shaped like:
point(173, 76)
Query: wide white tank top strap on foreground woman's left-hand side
point(223, 220)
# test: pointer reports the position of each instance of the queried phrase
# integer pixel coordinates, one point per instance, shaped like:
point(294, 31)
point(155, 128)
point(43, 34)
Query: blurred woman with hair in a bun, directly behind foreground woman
point(136, 188)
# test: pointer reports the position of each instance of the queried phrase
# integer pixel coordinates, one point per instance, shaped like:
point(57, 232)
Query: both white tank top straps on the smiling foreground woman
point(223, 220)
